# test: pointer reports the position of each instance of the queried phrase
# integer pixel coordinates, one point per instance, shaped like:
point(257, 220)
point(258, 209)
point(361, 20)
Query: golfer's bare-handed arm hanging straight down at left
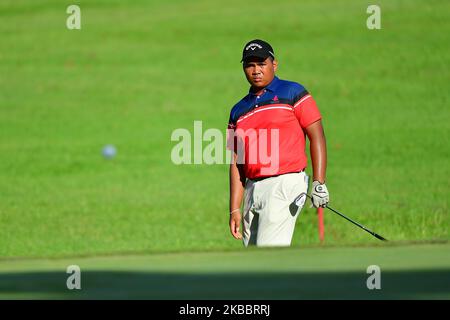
point(237, 182)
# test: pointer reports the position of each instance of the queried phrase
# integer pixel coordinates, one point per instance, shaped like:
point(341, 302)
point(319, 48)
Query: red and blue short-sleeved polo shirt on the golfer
point(285, 106)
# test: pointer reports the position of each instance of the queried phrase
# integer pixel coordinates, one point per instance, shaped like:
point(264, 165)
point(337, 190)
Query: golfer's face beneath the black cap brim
point(259, 72)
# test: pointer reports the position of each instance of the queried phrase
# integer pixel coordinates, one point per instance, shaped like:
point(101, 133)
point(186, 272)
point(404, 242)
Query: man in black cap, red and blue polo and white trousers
point(266, 132)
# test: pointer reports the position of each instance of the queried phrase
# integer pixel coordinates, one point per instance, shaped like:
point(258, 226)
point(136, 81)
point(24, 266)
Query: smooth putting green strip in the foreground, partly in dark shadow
point(407, 272)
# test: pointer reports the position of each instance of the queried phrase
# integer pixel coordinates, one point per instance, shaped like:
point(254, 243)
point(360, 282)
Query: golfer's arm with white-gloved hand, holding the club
point(319, 194)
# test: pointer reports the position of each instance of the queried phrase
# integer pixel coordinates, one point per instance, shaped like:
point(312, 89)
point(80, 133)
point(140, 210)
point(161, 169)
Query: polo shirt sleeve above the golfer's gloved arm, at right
point(305, 107)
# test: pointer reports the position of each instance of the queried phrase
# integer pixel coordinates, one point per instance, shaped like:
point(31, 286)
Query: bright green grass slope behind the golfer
point(138, 70)
